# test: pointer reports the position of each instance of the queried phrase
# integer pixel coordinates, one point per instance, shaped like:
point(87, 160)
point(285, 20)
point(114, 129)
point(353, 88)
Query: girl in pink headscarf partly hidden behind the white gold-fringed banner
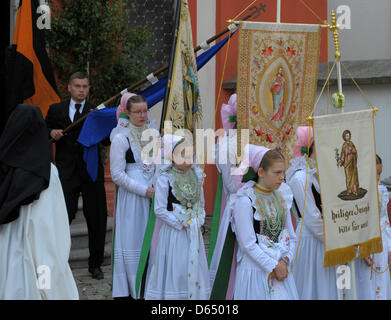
point(313, 280)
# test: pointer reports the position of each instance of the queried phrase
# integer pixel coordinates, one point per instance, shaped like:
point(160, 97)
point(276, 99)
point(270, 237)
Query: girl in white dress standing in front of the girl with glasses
point(179, 269)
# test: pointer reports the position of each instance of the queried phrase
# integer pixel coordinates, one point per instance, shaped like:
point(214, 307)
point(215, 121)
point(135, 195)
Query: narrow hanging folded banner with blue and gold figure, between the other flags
point(184, 102)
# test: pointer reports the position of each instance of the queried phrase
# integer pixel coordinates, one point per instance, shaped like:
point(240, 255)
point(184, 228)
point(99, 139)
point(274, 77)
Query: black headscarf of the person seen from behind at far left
point(24, 160)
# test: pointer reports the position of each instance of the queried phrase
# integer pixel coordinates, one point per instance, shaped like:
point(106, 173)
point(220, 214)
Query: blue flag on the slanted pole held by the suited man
point(99, 123)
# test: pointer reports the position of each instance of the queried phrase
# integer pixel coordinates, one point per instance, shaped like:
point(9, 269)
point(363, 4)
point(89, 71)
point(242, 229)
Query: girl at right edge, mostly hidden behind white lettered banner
point(372, 273)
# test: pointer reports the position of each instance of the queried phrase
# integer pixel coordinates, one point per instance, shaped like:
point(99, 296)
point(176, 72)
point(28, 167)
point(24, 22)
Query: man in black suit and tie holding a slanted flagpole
point(72, 169)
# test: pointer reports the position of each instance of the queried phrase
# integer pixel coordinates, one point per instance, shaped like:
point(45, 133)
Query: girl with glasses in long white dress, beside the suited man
point(134, 177)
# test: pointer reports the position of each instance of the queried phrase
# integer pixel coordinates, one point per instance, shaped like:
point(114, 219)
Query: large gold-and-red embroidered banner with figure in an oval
point(277, 81)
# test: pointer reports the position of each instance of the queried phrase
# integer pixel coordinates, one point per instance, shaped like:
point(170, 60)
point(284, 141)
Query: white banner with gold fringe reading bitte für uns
point(346, 159)
